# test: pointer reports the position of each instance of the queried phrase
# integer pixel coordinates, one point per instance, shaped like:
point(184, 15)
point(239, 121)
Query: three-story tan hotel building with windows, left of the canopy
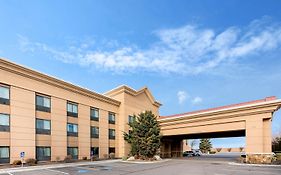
point(48, 118)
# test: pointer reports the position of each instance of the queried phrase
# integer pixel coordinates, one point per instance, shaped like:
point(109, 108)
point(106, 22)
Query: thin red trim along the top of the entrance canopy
point(222, 107)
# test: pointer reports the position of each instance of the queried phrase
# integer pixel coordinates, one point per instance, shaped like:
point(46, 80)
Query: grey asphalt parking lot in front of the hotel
point(193, 166)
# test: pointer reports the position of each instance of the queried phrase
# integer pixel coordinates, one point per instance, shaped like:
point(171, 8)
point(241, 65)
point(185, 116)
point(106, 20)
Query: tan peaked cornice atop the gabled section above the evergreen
point(133, 92)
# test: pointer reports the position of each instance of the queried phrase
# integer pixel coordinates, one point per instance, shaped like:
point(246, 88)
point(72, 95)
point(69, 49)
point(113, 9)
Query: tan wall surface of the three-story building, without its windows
point(25, 84)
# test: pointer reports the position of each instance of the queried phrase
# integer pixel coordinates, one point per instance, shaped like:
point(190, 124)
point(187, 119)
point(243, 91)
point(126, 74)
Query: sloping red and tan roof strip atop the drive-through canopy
point(221, 108)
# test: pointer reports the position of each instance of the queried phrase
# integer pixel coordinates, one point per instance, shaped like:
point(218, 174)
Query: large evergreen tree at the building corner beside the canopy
point(144, 135)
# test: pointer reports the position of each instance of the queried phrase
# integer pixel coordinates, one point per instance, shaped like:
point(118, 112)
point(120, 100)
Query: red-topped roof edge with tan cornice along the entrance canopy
point(174, 117)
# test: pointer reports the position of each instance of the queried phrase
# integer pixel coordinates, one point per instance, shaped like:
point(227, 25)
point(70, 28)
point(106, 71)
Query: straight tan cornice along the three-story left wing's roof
point(32, 74)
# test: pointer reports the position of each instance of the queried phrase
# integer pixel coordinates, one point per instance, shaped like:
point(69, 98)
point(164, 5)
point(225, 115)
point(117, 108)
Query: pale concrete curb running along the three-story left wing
point(63, 165)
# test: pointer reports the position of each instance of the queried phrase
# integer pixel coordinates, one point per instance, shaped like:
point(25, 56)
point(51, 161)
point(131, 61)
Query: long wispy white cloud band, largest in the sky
point(185, 50)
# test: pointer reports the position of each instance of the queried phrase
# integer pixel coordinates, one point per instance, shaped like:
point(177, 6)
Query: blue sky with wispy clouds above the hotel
point(191, 54)
